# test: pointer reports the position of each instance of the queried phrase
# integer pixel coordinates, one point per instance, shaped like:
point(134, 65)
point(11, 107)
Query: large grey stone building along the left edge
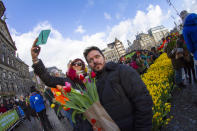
point(14, 73)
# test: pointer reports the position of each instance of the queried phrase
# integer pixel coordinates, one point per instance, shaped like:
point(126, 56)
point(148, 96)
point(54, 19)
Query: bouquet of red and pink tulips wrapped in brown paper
point(86, 102)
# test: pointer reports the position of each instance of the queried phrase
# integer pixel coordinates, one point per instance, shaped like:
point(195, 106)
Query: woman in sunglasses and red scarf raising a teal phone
point(76, 68)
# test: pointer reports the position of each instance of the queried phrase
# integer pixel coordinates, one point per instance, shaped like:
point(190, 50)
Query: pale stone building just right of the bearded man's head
point(114, 51)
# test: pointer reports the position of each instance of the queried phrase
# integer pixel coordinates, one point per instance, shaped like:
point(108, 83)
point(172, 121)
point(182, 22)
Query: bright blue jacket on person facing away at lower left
point(37, 102)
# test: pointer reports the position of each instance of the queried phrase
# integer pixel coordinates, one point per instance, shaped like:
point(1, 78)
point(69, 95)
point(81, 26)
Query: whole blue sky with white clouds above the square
point(77, 24)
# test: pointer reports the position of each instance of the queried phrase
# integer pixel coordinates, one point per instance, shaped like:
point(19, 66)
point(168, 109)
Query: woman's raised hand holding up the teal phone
point(35, 50)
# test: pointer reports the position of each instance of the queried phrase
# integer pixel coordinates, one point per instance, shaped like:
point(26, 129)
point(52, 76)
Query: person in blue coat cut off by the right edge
point(190, 33)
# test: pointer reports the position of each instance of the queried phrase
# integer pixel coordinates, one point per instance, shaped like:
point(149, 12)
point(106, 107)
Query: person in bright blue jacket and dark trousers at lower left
point(37, 104)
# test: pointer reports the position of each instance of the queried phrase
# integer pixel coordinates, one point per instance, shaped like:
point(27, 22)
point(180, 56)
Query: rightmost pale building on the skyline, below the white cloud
point(158, 33)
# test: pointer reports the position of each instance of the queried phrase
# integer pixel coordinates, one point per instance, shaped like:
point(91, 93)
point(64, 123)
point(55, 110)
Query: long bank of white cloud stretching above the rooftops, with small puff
point(59, 50)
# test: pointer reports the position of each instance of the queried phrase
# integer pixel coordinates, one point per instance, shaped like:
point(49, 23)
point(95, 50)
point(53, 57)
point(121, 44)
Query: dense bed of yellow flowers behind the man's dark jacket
point(159, 82)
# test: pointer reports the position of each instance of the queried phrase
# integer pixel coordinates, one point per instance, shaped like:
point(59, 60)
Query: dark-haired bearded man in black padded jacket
point(122, 92)
